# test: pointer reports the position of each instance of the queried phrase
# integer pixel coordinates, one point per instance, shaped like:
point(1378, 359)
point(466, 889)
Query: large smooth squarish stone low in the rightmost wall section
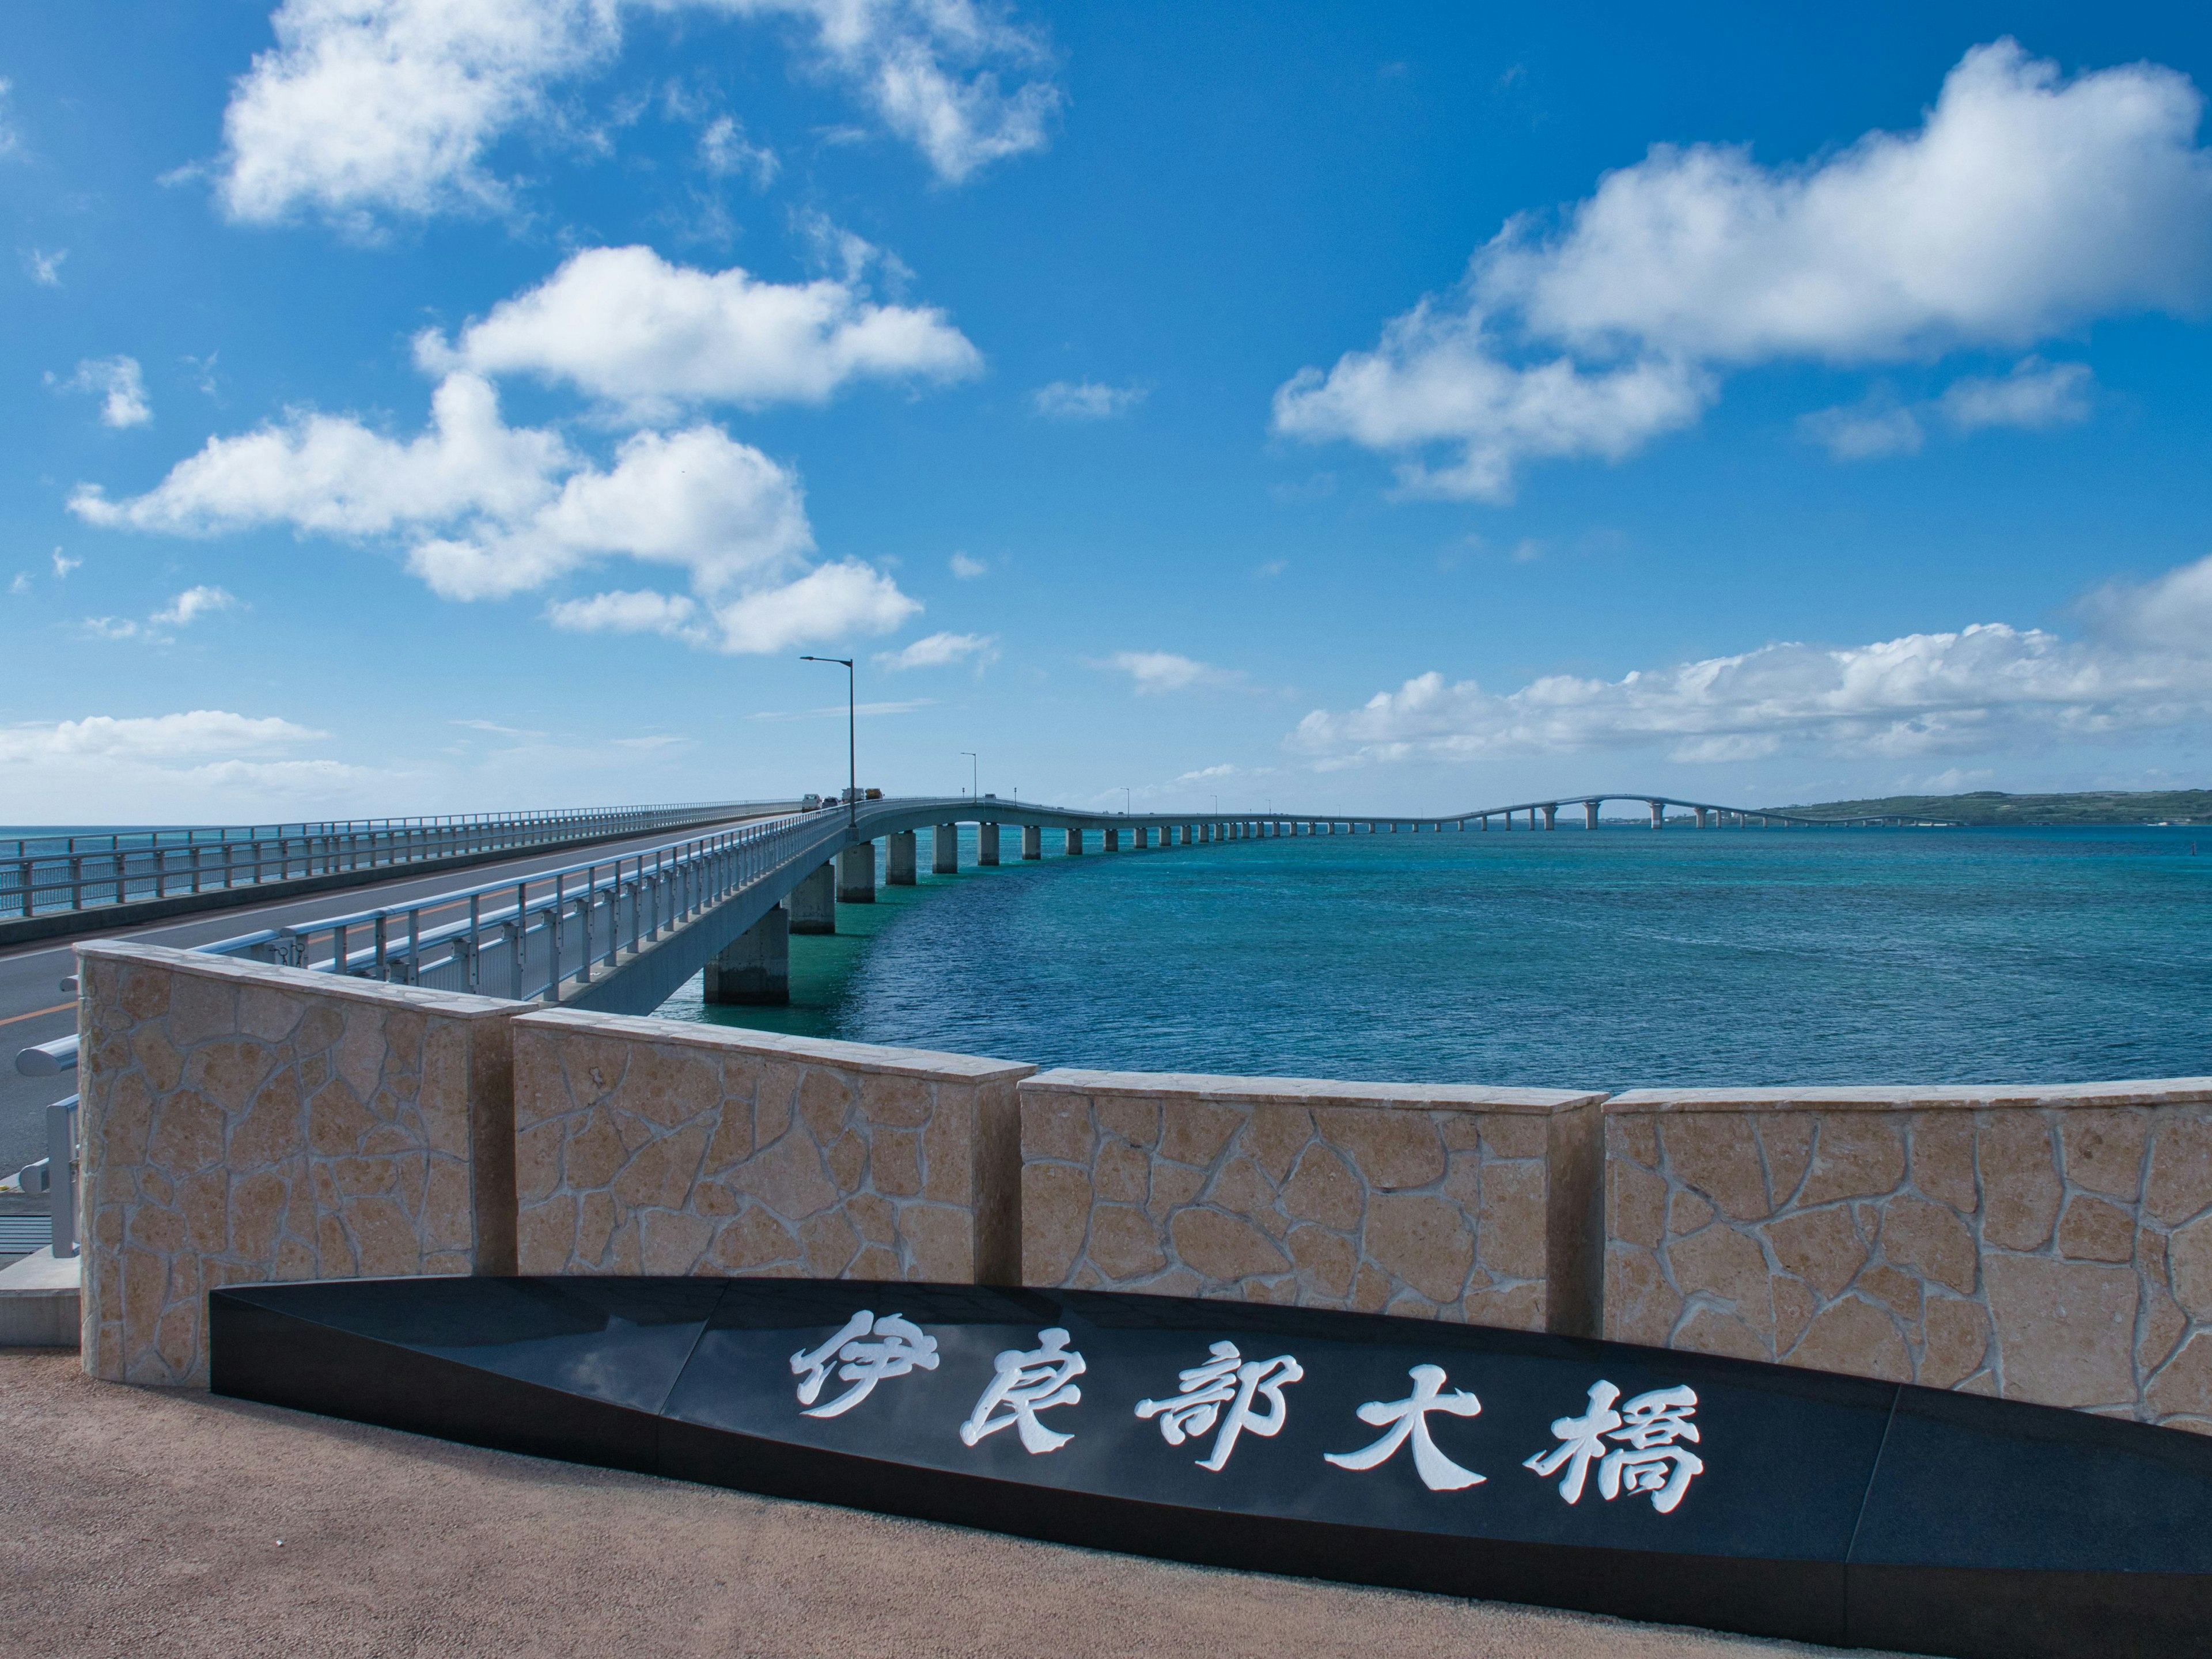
point(2065, 1331)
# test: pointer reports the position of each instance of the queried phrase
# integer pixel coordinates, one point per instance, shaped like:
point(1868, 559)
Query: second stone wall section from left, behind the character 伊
point(685, 1149)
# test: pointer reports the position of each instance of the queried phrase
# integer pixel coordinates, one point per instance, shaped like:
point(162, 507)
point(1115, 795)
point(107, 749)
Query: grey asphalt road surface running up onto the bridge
point(36, 1010)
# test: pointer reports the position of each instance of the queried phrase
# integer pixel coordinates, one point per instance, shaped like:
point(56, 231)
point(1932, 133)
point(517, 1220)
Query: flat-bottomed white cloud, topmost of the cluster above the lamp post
point(627, 326)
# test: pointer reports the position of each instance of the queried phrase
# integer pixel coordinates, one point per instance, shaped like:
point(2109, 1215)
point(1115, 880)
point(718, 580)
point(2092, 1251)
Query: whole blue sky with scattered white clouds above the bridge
point(439, 406)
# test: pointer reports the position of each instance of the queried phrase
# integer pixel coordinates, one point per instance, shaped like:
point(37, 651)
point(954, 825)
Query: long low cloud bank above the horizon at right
point(2145, 662)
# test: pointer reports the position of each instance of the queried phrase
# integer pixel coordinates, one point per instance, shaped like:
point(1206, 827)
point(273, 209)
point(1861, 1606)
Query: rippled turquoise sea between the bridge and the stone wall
point(1596, 961)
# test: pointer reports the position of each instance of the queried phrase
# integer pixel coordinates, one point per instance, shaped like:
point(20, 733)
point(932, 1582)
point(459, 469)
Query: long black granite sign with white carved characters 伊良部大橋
point(1430, 1457)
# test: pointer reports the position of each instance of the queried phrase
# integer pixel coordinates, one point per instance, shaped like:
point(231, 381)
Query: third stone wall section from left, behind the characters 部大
point(1439, 1202)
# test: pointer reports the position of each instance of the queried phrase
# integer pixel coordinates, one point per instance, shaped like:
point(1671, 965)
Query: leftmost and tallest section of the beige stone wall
point(253, 1123)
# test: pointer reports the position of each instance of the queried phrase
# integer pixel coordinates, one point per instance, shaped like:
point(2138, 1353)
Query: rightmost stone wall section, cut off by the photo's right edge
point(2041, 1244)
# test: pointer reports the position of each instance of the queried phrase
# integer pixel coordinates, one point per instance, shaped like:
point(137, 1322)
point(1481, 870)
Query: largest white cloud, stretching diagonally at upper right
point(2025, 205)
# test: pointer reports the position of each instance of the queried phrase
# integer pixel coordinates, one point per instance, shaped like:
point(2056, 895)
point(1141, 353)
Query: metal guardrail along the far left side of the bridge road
point(65, 873)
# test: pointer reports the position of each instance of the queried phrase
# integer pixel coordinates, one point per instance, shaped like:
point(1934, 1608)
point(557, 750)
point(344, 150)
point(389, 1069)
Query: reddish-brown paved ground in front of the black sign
point(147, 1523)
